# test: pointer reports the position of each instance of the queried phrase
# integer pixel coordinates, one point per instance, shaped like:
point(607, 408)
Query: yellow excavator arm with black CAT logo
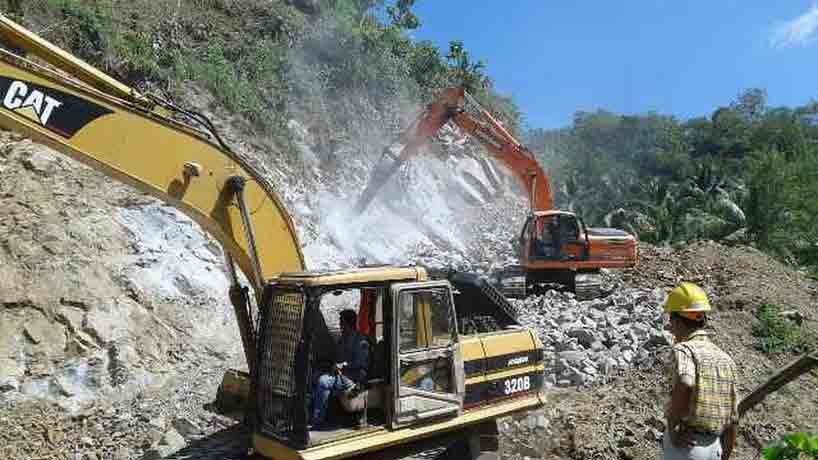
point(82, 113)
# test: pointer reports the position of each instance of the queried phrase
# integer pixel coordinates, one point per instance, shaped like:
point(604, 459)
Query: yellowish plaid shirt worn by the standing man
point(715, 402)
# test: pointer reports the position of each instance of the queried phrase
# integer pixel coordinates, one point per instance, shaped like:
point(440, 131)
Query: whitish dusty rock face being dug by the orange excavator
point(455, 209)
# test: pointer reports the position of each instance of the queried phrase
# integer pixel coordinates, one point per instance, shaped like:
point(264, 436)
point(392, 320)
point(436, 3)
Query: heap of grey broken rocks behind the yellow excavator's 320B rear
point(586, 341)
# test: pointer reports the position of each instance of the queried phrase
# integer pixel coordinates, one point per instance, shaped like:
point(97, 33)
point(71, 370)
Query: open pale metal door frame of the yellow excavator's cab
point(412, 405)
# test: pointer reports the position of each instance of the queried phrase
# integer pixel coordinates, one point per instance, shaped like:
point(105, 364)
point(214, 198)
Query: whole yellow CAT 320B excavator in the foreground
point(448, 356)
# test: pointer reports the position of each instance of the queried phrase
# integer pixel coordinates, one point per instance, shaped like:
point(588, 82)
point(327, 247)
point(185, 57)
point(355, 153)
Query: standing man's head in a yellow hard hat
point(687, 304)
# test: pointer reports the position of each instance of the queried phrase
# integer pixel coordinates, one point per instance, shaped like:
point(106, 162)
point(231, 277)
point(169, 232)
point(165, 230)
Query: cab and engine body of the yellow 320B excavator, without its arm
point(435, 374)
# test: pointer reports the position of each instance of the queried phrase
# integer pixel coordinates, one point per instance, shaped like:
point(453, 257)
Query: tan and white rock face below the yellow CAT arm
point(101, 289)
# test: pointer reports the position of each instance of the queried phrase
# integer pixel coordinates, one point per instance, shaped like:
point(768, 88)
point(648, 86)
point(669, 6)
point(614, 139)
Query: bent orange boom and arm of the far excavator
point(484, 127)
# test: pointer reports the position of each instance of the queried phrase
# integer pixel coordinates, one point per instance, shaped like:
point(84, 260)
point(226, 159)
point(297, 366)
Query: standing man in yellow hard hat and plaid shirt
point(702, 414)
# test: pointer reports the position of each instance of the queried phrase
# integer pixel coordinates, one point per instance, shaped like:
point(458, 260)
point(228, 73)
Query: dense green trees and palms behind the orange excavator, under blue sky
point(746, 173)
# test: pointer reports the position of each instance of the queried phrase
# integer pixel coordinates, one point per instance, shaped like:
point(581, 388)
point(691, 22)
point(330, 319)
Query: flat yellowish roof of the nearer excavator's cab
point(354, 276)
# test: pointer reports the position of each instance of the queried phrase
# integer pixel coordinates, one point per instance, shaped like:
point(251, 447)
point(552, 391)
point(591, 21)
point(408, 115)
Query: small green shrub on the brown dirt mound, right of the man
point(777, 334)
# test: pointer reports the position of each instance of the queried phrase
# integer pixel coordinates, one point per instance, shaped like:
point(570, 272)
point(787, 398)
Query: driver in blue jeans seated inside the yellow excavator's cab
point(352, 370)
